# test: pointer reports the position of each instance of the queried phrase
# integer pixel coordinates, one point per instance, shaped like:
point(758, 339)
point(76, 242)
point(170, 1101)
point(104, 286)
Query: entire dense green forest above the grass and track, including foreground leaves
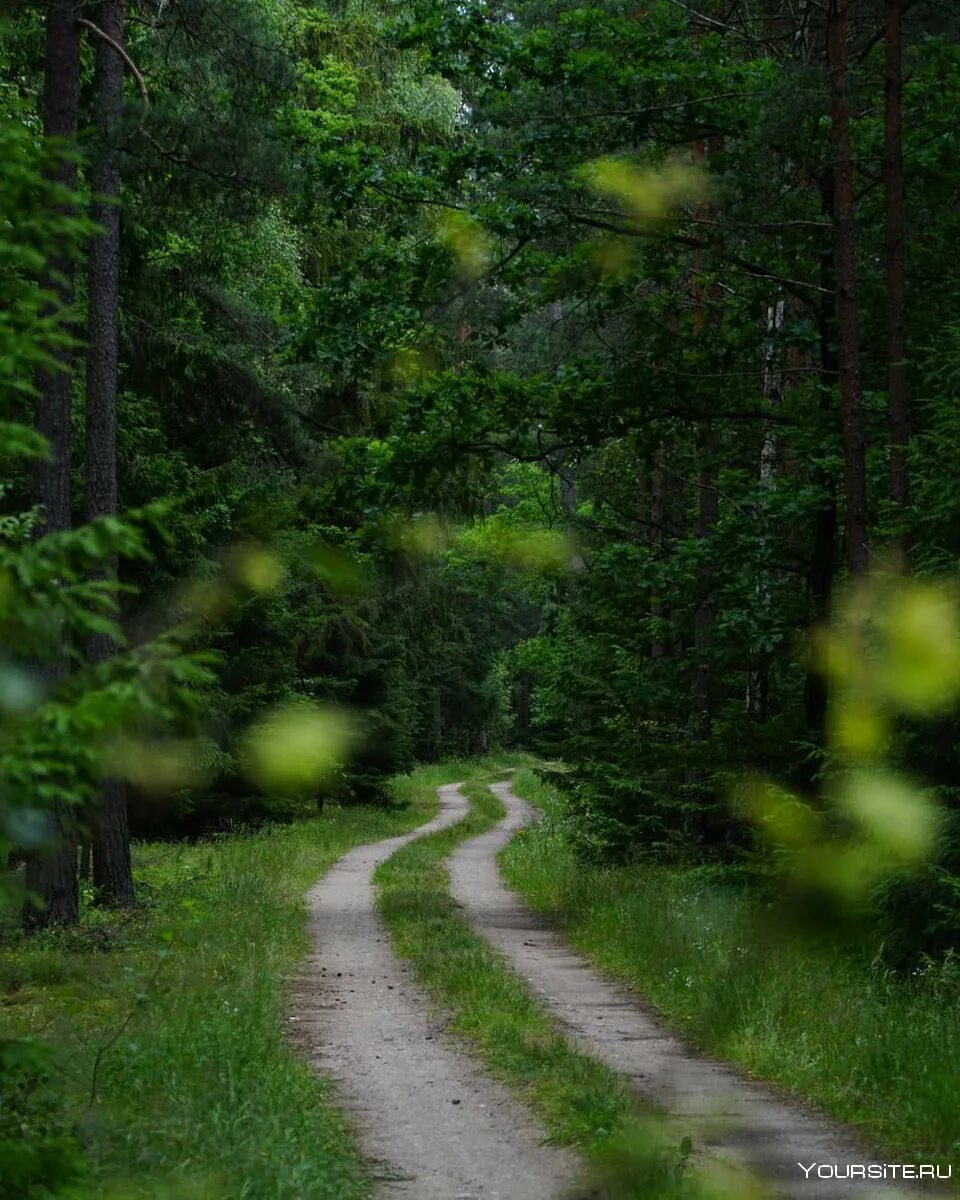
point(388, 383)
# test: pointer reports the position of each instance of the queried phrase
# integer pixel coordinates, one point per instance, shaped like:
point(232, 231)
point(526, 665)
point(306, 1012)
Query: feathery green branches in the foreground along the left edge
point(57, 716)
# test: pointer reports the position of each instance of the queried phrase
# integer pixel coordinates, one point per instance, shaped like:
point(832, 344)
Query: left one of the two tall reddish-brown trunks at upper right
point(848, 319)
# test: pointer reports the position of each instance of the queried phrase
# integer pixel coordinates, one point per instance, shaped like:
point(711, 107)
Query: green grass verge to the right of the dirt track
point(872, 1049)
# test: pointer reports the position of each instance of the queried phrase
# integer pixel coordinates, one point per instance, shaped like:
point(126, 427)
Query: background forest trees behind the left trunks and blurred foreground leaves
point(369, 265)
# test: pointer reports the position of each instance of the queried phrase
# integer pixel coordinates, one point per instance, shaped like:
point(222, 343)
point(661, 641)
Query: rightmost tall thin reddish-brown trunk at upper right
point(899, 401)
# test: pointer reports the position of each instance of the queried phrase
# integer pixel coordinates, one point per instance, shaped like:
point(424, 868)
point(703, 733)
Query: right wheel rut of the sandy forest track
point(717, 1107)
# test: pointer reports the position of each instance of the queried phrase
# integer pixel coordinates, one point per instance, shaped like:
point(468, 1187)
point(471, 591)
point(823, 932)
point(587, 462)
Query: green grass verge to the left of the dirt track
point(200, 1096)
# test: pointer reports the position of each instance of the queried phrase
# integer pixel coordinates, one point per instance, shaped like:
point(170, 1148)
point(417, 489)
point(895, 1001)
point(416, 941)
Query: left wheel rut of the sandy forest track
point(422, 1107)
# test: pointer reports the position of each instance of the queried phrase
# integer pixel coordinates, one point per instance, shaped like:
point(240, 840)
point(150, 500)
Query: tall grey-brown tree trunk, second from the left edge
point(112, 868)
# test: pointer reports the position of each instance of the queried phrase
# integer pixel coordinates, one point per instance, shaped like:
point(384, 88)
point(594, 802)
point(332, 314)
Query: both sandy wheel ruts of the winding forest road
point(437, 1127)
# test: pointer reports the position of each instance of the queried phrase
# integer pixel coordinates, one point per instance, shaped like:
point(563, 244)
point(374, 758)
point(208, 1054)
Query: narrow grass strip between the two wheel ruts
point(581, 1102)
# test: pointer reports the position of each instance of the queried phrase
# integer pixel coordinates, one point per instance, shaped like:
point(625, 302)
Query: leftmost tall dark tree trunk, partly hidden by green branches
point(52, 878)
